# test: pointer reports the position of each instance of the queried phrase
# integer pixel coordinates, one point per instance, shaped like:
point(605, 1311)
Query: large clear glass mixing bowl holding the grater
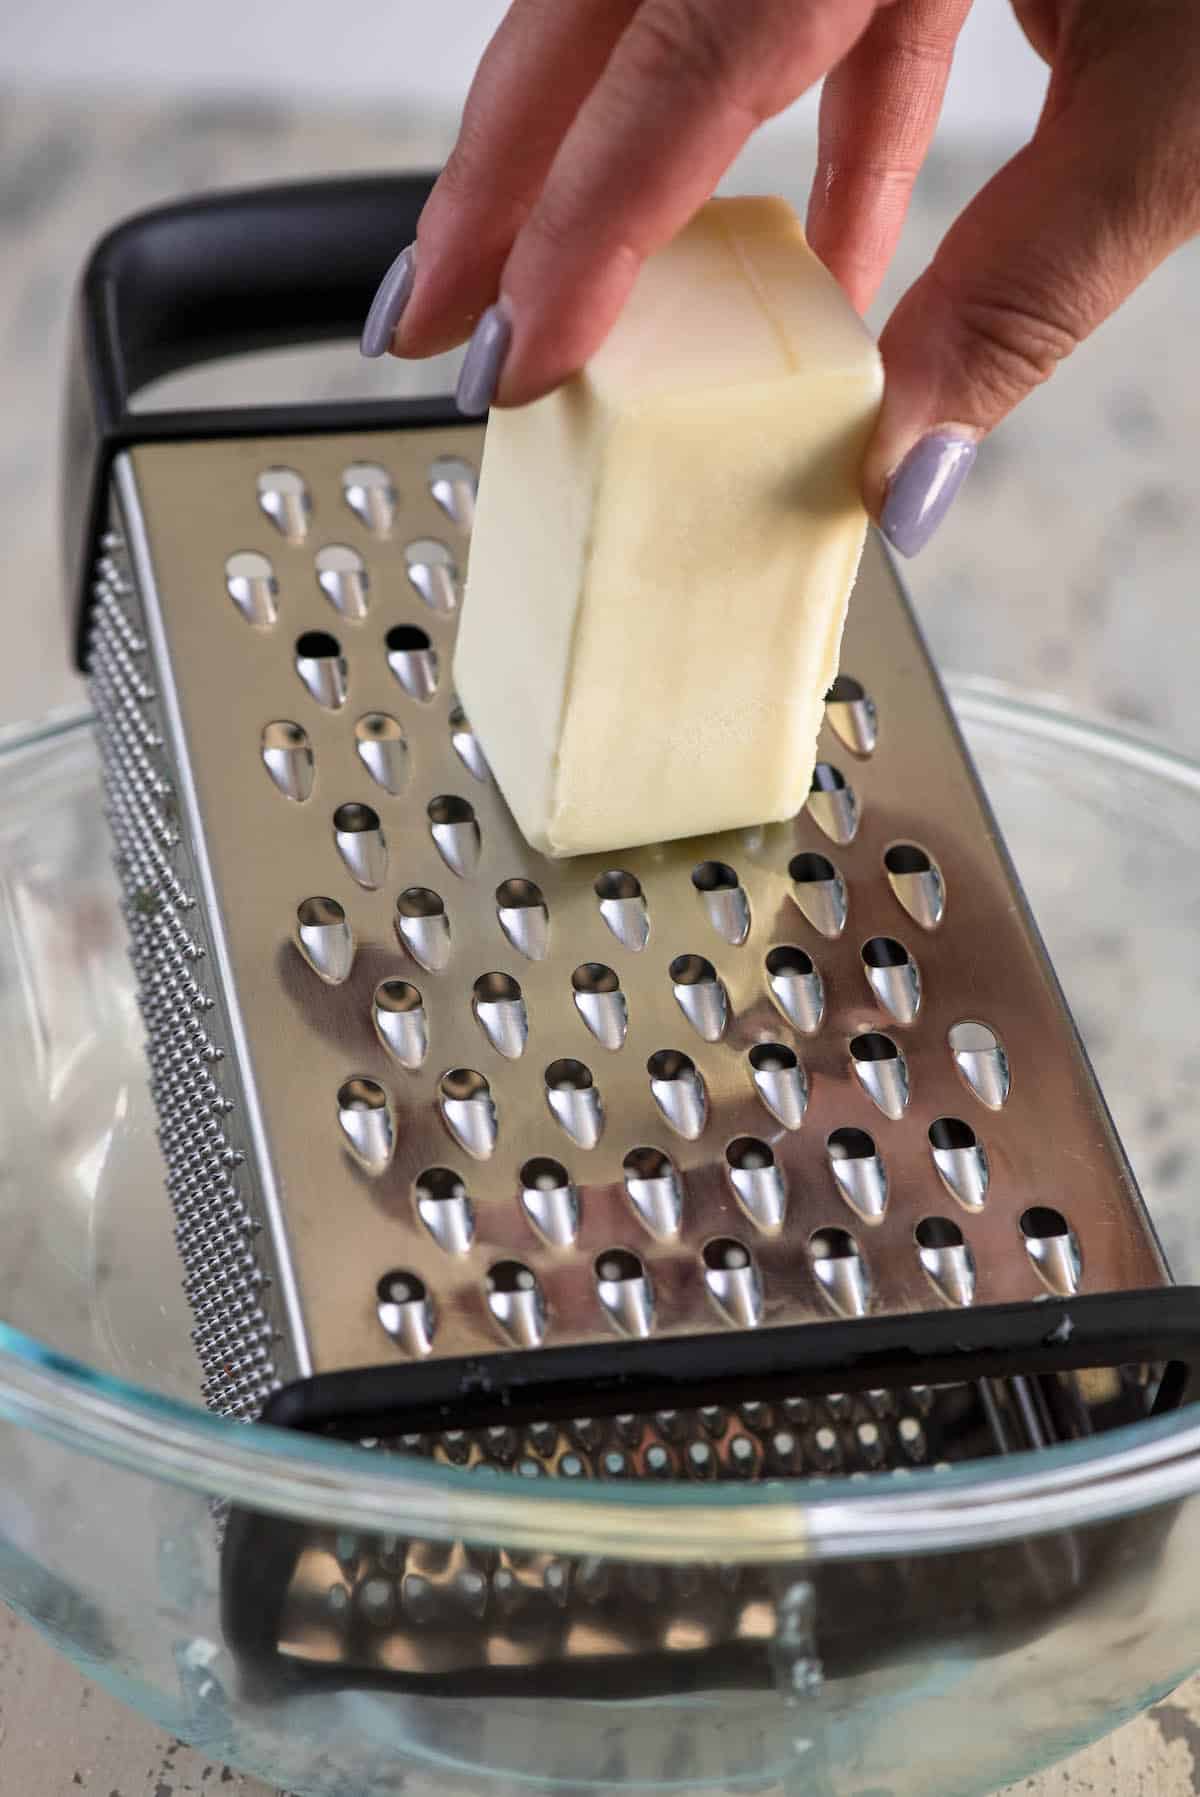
point(114, 1483)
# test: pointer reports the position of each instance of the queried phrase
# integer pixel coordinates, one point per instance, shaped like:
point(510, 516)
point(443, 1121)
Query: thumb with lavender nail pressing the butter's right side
point(1045, 254)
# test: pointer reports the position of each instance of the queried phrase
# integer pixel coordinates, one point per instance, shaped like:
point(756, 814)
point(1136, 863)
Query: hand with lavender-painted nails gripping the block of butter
point(596, 128)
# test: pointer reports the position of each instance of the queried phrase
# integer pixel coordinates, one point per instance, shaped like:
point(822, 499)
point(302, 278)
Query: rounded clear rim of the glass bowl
point(791, 1519)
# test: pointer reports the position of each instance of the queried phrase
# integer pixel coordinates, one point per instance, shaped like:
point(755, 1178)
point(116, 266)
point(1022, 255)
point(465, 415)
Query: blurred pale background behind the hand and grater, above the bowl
point(1070, 563)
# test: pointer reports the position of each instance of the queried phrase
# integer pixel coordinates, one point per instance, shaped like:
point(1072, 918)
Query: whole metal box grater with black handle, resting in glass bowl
point(743, 1158)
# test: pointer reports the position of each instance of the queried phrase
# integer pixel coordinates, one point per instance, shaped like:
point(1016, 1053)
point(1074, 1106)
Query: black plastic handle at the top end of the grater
point(222, 276)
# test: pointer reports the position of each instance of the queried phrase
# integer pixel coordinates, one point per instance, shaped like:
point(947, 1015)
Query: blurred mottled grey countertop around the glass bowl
point(1070, 567)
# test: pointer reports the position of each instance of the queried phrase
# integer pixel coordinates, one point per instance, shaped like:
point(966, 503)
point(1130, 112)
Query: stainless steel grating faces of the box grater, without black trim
point(484, 1101)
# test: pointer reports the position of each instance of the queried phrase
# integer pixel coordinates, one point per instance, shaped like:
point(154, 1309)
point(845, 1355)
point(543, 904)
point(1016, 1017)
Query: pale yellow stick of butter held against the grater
point(664, 549)
